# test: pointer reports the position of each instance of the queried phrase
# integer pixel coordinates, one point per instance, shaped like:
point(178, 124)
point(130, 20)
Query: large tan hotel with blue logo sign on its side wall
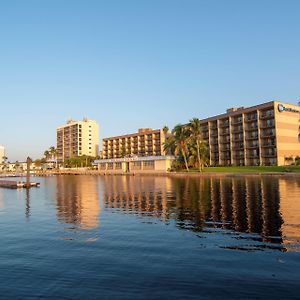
point(265, 134)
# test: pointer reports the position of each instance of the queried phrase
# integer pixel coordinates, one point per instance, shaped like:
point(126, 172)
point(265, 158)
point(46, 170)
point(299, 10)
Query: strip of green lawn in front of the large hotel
point(256, 169)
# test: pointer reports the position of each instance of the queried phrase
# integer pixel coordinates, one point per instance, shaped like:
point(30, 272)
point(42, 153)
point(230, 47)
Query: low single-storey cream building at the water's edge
point(135, 164)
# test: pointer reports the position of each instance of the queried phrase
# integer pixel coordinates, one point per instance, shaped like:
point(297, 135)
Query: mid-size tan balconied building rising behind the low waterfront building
point(146, 142)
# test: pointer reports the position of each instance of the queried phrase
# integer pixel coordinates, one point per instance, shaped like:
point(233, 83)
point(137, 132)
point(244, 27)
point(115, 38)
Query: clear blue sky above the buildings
point(131, 64)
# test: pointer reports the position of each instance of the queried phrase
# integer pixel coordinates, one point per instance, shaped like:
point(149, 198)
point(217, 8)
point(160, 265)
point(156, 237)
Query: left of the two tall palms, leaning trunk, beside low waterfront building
point(181, 138)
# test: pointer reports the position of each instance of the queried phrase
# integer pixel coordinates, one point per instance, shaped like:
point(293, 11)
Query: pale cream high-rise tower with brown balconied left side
point(77, 138)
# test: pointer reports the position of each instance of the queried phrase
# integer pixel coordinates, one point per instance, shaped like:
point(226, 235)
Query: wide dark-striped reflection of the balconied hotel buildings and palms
point(268, 206)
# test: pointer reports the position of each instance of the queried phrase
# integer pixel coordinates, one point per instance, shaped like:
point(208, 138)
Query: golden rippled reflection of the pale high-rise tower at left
point(78, 201)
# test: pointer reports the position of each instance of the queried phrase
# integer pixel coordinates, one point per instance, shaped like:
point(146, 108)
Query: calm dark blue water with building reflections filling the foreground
point(111, 237)
